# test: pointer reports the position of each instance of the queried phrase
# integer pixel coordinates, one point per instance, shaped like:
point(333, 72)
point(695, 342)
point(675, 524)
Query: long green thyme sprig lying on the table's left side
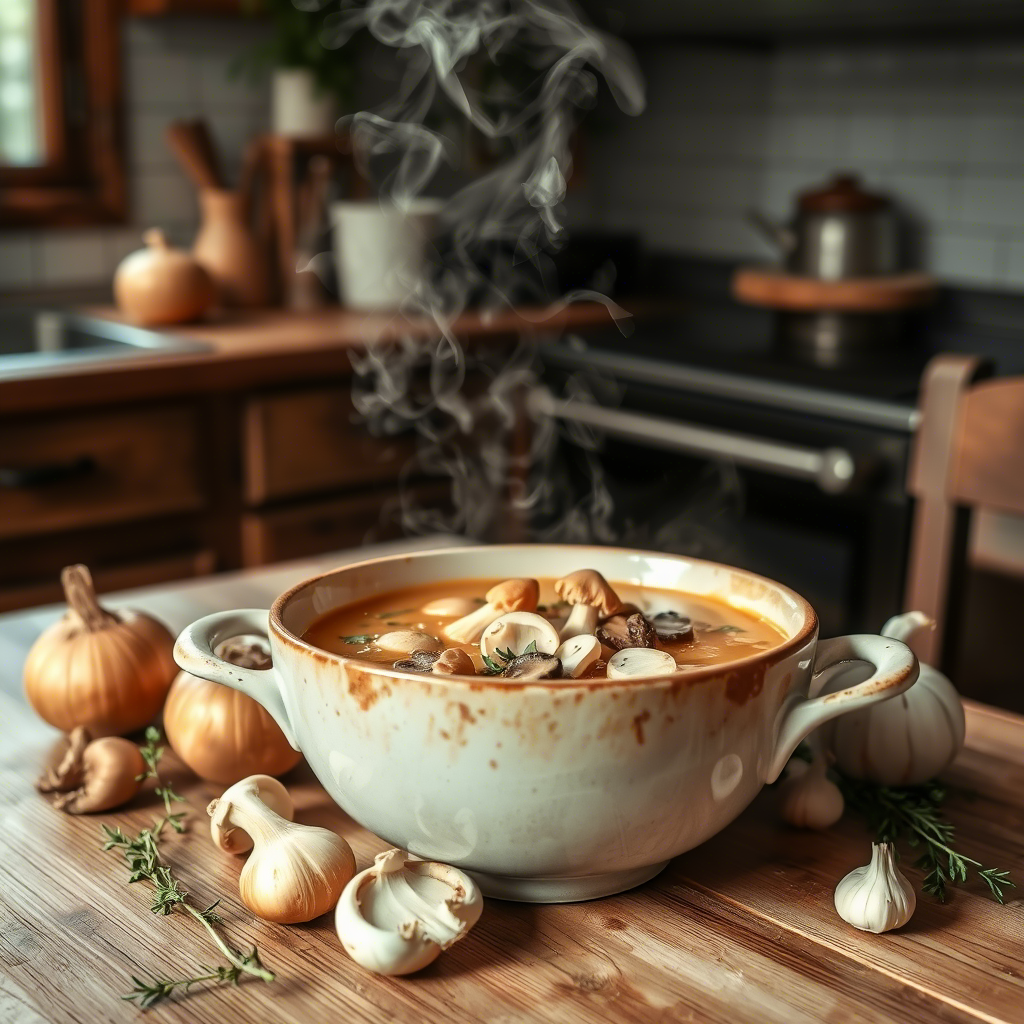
point(143, 858)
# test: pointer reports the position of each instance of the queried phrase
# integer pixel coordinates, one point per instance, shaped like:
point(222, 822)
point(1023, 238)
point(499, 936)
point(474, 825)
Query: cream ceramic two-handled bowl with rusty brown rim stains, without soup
point(556, 791)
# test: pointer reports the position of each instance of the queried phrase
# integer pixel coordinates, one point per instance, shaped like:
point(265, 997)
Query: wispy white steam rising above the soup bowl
point(520, 73)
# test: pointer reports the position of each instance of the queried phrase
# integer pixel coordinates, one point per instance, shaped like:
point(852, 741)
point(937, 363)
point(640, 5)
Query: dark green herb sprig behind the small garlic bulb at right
point(915, 816)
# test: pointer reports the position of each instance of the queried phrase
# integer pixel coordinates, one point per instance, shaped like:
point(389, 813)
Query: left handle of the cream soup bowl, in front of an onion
point(194, 652)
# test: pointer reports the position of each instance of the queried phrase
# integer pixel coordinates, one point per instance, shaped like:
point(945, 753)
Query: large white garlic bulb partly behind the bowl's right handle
point(905, 741)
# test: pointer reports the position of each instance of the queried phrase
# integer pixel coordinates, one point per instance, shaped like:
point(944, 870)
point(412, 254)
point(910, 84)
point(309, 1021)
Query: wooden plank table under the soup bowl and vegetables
point(740, 930)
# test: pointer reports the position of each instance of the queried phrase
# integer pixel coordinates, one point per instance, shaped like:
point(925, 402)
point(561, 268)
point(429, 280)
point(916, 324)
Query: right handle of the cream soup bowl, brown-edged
point(895, 671)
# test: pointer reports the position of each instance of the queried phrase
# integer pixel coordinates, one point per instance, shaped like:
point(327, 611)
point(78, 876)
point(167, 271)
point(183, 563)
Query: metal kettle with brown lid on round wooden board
point(839, 232)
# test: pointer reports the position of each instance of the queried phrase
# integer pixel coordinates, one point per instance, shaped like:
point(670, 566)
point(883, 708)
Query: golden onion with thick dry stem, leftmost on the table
point(108, 671)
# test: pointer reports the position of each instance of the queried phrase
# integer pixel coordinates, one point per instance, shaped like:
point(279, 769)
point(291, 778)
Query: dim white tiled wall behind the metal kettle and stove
point(937, 125)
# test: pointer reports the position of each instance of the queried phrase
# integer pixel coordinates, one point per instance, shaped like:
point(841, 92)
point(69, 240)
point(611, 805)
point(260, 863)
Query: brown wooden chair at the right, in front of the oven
point(968, 457)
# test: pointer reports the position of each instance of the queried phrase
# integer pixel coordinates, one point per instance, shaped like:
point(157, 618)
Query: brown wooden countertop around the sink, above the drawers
point(254, 349)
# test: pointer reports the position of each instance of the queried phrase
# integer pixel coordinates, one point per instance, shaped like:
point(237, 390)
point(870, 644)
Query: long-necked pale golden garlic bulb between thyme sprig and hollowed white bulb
point(295, 873)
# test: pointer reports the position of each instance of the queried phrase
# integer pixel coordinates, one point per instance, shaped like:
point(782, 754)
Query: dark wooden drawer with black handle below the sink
point(76, 472)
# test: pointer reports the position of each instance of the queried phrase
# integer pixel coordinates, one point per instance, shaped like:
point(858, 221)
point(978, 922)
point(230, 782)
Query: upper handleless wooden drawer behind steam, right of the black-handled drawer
point(303, 443)
